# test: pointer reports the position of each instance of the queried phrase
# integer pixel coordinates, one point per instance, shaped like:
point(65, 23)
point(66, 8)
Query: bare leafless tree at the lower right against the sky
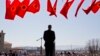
point(93, 47)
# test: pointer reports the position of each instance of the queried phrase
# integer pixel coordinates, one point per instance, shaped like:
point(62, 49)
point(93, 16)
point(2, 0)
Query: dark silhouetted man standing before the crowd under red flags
point(49, 38)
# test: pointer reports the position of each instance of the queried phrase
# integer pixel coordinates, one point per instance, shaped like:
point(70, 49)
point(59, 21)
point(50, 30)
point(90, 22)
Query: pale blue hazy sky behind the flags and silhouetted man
point(72, 31)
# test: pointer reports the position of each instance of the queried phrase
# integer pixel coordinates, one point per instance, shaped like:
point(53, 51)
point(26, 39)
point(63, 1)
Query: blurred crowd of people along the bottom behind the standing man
point(62, 53)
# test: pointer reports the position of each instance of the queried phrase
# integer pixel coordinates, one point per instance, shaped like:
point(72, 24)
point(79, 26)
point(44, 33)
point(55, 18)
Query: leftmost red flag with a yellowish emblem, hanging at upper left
point(11, 9)
